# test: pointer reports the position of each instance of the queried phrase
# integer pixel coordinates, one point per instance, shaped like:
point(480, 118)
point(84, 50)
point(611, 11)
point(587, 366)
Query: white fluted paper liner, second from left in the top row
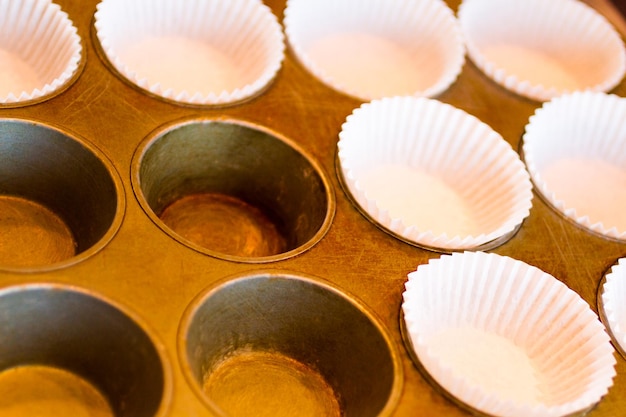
point(208, 52)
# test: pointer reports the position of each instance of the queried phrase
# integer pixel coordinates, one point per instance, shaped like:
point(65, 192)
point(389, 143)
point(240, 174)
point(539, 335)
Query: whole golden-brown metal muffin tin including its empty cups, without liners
point(109, 158)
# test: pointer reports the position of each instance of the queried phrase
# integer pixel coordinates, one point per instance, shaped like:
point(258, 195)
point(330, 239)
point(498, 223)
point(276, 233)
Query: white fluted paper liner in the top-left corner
point(40, 50)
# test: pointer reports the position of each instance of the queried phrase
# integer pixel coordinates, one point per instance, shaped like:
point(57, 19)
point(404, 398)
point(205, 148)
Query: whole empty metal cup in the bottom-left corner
point(68, 351)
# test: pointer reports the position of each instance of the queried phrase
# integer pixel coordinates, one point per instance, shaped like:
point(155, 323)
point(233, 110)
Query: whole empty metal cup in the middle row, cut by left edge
point(61, 200)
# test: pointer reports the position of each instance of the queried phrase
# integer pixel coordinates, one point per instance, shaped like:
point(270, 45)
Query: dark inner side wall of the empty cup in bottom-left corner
point(72, 330)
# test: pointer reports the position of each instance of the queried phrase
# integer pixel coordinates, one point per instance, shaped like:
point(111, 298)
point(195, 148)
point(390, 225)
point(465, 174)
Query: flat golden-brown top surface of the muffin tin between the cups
point(136, 264)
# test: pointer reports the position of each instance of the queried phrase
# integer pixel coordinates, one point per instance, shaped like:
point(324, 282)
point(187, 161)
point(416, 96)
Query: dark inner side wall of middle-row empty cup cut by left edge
point(63, 174)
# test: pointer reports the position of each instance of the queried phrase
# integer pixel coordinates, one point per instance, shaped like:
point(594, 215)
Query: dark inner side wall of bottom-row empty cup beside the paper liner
point(303, 320)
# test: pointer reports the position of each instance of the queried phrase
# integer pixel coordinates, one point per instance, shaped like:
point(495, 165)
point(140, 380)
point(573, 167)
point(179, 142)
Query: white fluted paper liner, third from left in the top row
point(371, 49)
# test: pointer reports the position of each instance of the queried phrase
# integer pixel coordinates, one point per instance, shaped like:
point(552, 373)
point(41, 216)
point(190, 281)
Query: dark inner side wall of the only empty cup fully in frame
point(242, 162)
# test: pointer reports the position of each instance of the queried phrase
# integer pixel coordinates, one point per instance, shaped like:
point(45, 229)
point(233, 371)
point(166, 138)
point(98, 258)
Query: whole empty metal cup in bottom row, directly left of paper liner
point(277, 344)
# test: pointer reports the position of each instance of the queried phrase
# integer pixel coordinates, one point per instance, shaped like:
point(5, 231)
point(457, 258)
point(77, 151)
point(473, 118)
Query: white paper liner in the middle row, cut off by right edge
point(575, 150)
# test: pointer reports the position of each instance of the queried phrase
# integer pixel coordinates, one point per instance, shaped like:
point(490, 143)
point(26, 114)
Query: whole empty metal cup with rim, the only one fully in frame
point(232, 190)
